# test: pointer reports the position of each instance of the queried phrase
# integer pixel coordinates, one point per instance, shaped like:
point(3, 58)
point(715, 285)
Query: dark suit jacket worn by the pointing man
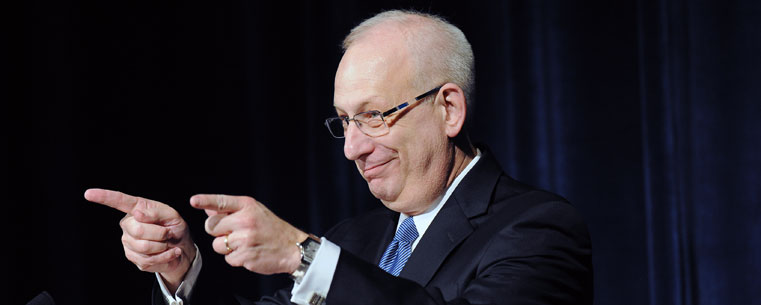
point(495, 241)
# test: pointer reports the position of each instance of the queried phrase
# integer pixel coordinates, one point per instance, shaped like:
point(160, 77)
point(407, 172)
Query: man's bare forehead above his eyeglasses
point(373, 73)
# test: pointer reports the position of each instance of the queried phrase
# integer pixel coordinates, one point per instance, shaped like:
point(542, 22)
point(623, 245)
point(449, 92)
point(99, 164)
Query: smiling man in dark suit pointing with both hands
point(455, 229)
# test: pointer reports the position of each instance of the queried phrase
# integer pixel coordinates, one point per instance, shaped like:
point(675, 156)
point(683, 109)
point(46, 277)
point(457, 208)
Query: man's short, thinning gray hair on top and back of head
point(441, 52)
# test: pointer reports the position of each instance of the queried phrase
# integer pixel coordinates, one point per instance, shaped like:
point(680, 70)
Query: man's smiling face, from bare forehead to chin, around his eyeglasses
point(407, 169)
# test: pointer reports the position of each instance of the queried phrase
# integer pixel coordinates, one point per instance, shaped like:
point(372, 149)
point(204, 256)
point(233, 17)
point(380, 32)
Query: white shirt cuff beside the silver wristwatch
point(316, 281)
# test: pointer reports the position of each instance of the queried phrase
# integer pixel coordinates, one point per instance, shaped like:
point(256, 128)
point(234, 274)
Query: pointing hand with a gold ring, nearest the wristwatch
point(249, 234)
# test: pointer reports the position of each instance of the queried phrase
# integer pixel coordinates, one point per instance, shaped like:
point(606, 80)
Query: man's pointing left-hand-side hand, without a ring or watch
point(154, 236)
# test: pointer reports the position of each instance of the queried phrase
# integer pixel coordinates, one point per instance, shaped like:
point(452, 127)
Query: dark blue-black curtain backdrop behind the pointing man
point(644, 113)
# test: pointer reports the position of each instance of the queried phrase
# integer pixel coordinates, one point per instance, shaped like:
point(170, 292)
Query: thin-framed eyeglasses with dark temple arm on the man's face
point(373, 122)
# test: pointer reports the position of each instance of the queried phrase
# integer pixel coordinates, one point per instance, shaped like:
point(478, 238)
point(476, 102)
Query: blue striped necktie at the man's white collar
point(399, 250)
